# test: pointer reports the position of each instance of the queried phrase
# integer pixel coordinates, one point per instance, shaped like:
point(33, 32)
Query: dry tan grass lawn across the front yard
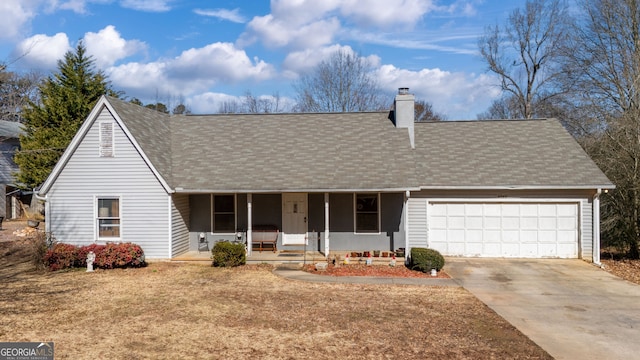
point(171, 310)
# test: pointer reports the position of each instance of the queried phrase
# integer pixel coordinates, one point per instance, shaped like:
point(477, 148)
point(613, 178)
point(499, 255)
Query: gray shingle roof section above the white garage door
point(502, 153)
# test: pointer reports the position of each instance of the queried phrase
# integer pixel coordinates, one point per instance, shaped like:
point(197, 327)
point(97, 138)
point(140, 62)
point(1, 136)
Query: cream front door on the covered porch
point(294, 219)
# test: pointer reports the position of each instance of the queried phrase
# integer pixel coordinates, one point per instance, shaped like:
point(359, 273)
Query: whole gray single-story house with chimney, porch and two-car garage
point(341, 181)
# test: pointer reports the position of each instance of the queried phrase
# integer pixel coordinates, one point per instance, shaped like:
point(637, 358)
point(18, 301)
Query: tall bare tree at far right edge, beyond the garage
point(604, 63)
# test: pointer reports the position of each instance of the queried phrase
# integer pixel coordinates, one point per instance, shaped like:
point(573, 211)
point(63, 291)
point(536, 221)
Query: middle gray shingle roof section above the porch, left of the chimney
point(273, 152)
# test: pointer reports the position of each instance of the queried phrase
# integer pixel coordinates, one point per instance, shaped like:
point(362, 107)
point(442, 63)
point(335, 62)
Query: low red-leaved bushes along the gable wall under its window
point(110, 256)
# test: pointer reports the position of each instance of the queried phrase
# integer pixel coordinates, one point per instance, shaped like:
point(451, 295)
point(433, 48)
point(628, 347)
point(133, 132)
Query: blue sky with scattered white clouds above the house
point(208, 52)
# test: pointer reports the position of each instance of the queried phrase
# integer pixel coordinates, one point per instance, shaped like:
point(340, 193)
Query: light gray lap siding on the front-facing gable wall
point(144, 204)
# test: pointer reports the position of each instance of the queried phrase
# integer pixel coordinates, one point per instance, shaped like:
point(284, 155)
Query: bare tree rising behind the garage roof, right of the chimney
point(526, 53)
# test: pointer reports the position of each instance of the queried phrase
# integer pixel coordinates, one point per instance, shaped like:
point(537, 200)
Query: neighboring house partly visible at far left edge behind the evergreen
point(9, 142)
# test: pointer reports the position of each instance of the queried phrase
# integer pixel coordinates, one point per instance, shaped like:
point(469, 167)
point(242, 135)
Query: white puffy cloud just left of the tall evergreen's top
point(41, 52)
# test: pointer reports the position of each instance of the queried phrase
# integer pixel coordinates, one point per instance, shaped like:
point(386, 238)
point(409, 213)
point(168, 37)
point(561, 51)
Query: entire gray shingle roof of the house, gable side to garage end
point(354, 151)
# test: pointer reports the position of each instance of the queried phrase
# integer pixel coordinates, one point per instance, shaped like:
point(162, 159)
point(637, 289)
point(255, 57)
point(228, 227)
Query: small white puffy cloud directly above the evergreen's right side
point(107, 46)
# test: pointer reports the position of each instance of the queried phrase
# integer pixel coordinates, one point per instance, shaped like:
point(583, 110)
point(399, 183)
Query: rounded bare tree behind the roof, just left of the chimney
point(342, 83)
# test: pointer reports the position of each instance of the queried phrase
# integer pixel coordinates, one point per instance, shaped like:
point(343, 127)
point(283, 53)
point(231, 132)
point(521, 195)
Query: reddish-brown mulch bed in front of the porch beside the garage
point(373, 270)
